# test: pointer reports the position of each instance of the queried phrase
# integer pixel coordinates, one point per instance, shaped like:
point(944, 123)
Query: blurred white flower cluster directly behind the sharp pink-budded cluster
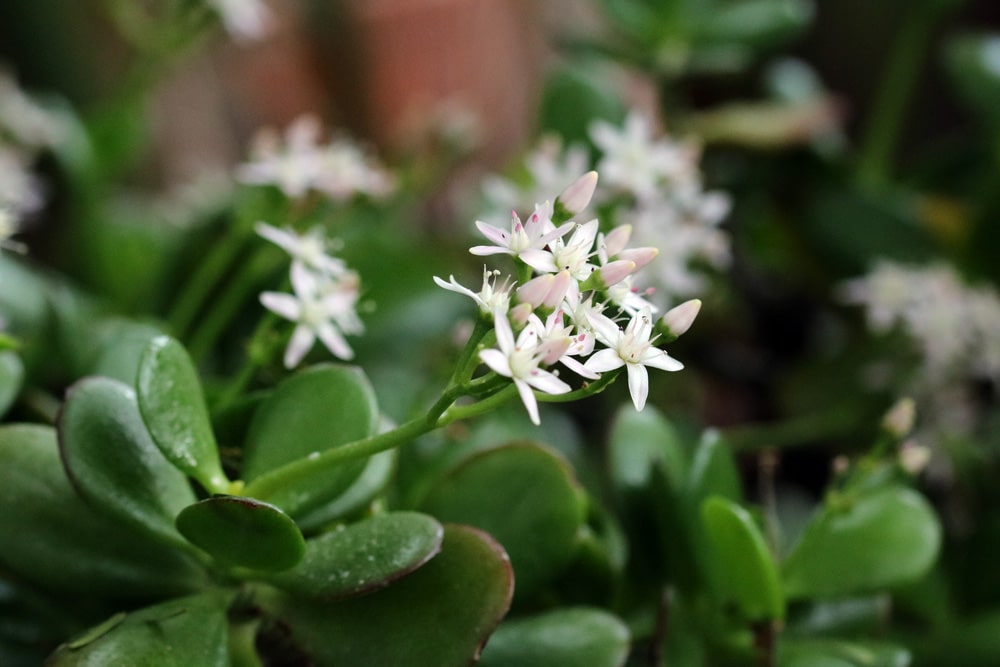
point(653, 184)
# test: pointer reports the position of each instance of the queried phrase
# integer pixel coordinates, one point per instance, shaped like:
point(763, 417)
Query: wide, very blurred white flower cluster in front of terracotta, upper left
point(300, 163)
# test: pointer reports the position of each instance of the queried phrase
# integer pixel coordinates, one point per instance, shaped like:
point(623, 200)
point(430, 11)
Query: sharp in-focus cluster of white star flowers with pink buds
point(570, 307)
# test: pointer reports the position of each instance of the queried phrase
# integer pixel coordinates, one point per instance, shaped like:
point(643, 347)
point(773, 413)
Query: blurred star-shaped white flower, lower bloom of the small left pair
point(321, 308)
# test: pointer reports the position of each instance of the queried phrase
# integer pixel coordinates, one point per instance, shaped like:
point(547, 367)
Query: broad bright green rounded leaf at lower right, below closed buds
point(876, 541)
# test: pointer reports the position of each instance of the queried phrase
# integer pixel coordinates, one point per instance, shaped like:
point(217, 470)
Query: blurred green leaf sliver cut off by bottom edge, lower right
point(841, 653)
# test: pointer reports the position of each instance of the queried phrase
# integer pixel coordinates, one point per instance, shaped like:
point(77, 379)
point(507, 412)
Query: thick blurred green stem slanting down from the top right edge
point(894, 96)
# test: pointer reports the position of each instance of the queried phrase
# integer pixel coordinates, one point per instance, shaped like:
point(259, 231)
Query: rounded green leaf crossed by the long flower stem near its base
point(309, 413)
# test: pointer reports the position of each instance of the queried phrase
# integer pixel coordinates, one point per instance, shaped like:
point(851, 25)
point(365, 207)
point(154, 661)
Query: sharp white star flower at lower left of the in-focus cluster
point(519, 360)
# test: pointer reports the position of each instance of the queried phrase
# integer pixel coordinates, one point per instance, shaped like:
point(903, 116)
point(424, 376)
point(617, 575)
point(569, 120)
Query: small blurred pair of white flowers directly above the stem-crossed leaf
point(323, 302)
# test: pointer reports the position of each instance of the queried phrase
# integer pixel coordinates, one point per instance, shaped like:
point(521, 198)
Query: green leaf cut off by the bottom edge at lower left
point(180, 633)
